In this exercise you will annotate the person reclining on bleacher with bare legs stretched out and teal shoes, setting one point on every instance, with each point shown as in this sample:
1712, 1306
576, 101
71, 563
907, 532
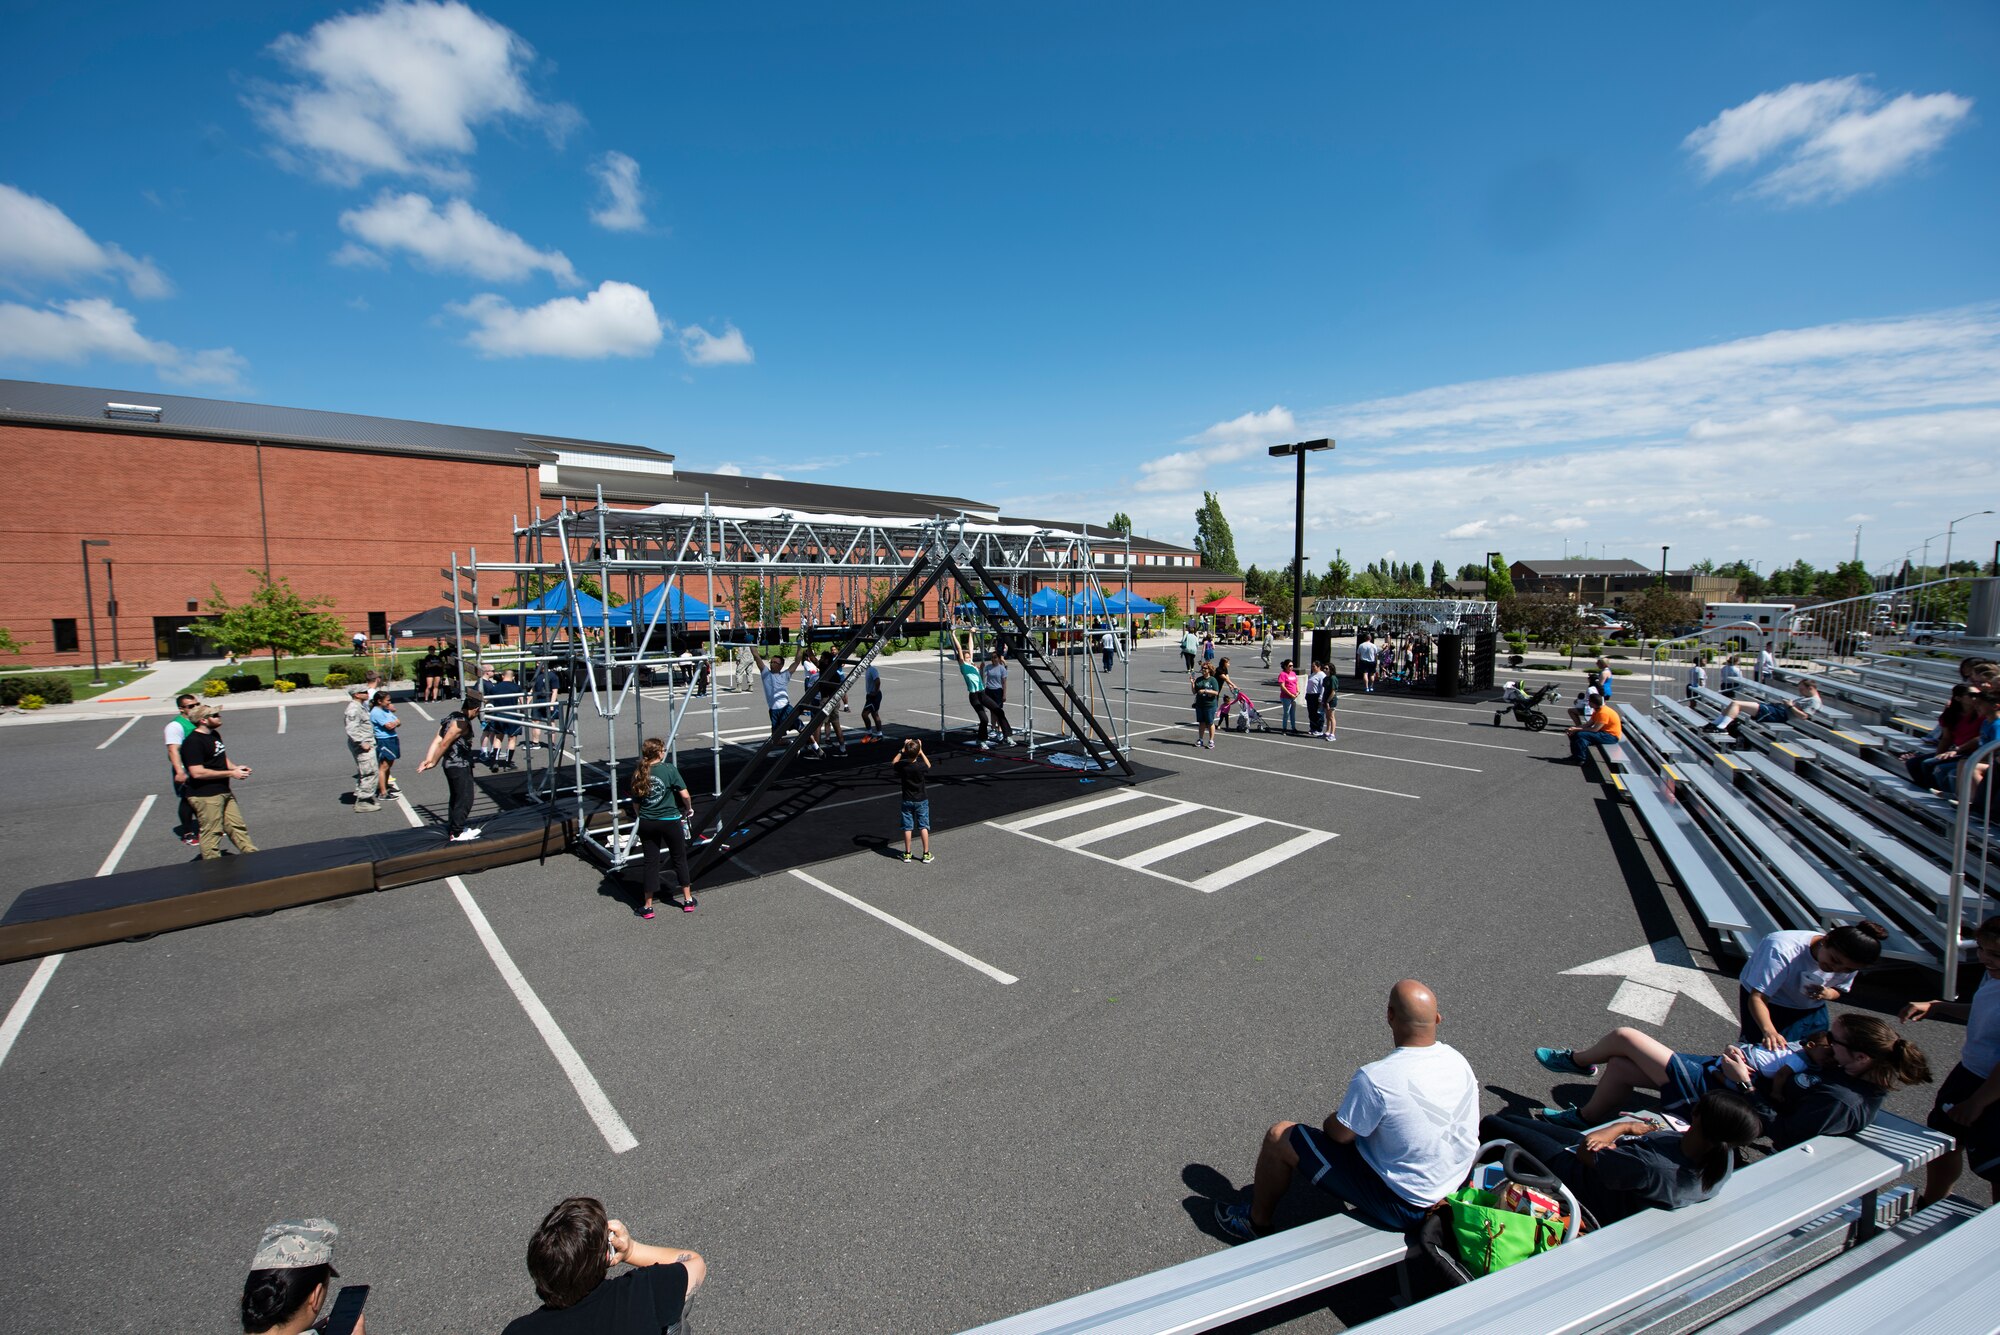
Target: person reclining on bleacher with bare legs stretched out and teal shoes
1827, 1086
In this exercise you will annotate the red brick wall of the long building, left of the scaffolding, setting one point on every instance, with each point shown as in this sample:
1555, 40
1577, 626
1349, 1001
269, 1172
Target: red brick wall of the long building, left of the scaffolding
369, 531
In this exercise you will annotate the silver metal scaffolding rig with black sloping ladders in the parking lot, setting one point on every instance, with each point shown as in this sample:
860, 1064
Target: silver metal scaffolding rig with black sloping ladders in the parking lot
637, 668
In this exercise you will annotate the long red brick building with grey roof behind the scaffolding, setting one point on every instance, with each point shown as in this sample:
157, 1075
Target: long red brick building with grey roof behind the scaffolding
195, 495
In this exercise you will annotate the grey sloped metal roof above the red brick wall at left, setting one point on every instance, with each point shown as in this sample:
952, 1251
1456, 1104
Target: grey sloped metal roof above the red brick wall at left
119, 411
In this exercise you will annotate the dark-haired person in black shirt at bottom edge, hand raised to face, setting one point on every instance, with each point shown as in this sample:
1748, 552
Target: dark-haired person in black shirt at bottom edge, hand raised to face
571, 1258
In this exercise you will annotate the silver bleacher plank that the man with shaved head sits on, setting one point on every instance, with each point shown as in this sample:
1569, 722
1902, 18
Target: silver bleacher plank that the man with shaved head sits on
1221, 1288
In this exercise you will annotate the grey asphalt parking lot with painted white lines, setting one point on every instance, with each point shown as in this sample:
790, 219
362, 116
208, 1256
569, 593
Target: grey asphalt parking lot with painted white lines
875, 1096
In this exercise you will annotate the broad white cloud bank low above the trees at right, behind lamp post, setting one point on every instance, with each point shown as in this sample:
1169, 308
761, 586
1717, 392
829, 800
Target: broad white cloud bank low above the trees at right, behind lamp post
1713, 451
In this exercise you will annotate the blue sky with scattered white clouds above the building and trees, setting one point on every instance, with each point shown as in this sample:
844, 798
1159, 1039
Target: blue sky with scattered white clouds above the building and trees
1713, 277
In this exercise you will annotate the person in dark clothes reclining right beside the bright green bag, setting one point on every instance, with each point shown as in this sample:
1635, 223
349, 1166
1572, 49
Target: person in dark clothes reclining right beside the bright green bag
1635, 1164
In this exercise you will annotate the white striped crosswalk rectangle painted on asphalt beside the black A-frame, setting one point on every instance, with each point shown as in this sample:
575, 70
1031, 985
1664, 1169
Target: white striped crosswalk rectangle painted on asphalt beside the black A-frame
1227, 824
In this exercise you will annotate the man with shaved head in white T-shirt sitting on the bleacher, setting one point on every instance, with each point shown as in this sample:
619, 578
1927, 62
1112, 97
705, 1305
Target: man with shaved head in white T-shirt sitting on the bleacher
1403, 1138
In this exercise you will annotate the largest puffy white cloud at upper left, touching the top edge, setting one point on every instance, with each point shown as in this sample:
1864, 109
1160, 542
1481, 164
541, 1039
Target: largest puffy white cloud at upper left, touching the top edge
401, 91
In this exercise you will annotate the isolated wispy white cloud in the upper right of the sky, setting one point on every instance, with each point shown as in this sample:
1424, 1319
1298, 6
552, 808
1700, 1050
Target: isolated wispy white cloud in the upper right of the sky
1827, 141
